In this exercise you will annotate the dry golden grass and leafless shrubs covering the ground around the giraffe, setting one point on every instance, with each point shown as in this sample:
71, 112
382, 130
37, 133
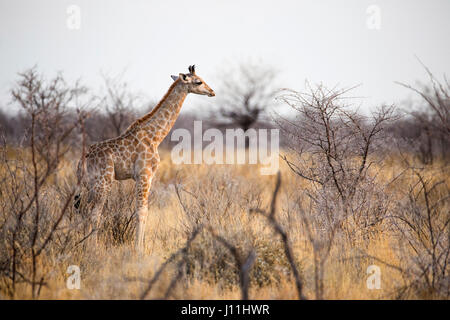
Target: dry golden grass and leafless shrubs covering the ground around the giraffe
343, 203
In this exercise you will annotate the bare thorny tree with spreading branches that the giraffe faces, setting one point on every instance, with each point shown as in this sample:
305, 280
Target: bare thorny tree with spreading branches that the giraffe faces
335, 139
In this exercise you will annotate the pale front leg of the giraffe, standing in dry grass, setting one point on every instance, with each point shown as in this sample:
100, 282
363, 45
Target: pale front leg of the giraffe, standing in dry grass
143, 184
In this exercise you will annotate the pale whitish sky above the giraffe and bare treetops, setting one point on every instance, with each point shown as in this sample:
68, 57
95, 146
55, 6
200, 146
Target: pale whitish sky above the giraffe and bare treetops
327, 41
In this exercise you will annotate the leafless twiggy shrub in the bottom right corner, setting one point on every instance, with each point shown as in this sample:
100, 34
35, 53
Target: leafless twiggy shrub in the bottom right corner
422, 221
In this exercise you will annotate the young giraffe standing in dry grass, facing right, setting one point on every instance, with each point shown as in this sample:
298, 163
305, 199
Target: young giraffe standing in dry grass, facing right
134, 154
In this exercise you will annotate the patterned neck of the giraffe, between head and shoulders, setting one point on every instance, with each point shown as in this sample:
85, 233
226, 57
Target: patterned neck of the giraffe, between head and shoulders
156, 124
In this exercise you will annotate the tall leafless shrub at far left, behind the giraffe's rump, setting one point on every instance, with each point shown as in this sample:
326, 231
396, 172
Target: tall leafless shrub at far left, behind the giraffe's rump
28, 224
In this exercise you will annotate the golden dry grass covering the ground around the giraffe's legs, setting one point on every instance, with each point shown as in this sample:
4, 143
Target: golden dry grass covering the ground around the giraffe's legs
220, 197
